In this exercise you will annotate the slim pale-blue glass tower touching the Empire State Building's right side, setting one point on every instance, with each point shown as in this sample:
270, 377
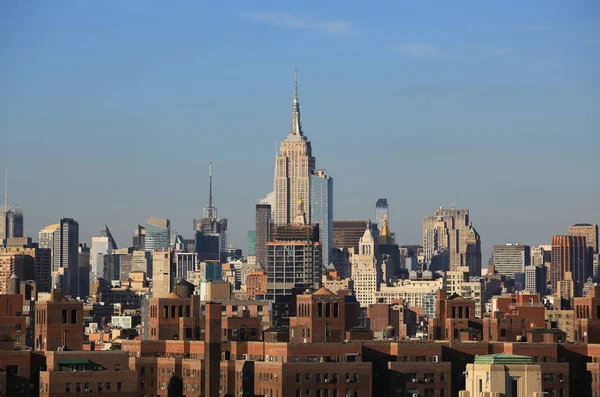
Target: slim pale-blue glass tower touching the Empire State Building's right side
321, 209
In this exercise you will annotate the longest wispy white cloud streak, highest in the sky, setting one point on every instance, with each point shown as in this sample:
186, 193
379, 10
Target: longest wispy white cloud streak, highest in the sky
287, 20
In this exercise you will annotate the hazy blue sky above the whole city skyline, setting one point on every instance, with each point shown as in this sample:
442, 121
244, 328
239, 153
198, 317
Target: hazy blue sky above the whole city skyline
110, 111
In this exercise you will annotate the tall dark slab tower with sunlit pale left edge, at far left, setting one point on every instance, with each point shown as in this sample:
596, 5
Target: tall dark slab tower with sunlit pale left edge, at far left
65, 255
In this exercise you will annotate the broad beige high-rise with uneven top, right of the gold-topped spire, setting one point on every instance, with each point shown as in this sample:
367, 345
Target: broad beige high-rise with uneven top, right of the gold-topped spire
444, 236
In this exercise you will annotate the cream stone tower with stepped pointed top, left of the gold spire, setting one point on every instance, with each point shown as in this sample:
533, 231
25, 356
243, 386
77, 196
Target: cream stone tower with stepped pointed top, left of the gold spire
366, 272
